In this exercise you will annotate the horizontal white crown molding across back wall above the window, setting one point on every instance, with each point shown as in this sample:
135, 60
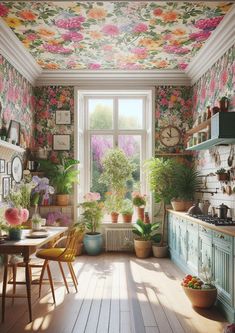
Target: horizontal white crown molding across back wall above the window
127, 78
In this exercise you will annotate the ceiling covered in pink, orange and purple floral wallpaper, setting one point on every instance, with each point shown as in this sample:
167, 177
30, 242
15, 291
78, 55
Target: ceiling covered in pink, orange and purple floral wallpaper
113, 35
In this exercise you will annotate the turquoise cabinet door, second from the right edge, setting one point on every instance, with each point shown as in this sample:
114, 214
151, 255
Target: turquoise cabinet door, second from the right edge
205, 255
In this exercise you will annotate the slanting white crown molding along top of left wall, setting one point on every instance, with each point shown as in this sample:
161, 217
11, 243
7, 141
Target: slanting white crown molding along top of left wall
12, 49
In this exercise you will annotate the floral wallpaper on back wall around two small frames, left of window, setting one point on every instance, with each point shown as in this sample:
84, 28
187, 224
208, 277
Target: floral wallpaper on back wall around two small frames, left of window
48, 100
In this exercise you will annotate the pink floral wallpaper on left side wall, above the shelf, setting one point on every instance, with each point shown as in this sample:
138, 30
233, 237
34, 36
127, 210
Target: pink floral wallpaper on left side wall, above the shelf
17, 98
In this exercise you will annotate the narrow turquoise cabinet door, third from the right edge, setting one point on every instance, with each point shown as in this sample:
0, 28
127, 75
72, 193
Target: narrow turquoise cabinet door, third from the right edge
192, 247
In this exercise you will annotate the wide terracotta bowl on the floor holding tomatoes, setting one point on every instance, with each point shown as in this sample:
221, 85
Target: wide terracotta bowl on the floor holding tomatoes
202, 298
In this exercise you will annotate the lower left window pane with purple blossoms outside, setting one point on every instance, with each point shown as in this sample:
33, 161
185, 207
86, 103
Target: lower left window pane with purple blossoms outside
99, 145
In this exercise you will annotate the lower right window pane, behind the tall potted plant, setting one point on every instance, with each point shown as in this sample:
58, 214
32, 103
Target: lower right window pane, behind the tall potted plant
131, 145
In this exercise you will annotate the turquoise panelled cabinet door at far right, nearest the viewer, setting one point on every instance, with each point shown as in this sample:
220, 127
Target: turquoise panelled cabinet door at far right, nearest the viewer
223, 269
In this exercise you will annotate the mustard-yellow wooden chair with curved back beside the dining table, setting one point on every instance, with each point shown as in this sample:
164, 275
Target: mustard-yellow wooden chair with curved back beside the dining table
60, 254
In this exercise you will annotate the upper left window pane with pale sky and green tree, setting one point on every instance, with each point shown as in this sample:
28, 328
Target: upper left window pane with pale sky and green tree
100, 113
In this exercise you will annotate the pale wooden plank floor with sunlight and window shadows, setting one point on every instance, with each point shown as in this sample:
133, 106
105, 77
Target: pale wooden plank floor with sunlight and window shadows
117, 293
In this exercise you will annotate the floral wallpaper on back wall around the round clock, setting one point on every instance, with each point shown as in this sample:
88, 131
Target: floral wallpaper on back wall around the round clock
174, 107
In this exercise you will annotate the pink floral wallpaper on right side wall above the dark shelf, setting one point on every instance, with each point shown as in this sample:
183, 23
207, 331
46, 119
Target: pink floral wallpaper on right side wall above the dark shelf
217, 82
